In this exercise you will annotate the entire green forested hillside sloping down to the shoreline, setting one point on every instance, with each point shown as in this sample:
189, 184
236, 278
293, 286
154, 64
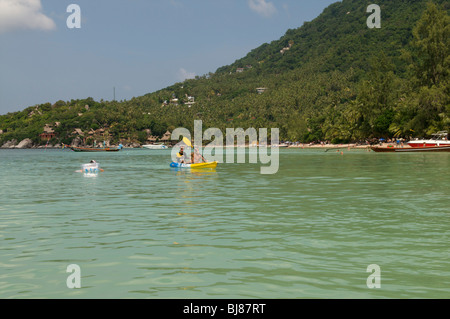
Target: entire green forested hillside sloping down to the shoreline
333, 78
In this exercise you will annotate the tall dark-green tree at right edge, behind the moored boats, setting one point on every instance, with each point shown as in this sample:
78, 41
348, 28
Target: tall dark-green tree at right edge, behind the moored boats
426, 102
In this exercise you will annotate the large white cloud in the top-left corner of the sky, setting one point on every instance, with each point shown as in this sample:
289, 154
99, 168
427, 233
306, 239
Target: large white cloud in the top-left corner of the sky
23, 14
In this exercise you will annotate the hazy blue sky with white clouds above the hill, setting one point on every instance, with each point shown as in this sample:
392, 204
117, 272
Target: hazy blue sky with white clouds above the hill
136, 46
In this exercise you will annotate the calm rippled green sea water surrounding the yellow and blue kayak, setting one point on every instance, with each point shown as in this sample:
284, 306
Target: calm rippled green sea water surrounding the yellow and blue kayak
143, 230
